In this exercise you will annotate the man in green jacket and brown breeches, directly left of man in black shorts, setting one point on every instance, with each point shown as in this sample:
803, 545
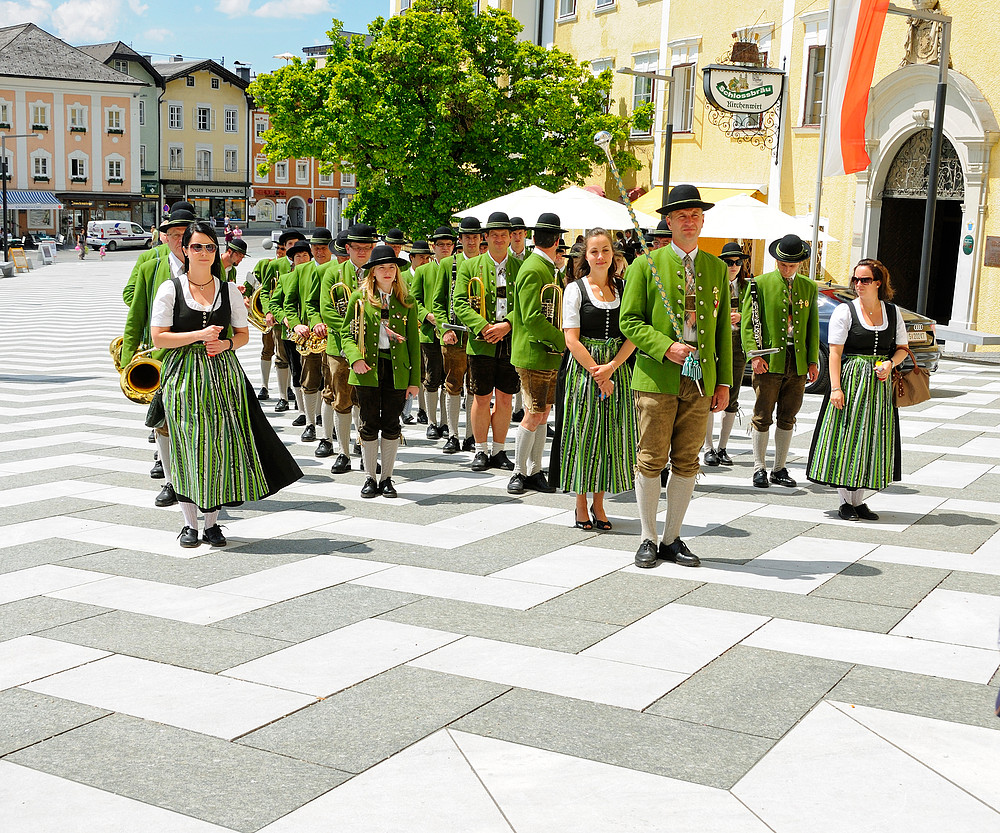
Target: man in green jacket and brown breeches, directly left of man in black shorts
454, 353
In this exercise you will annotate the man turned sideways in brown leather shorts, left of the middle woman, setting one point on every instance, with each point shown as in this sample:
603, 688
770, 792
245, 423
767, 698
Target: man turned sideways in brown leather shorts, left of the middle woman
538, 345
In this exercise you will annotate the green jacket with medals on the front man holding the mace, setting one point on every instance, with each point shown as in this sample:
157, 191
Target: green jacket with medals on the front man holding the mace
644, 321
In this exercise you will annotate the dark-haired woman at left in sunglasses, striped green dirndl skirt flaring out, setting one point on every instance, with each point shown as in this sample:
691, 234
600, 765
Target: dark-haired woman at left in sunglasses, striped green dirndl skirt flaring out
223, 451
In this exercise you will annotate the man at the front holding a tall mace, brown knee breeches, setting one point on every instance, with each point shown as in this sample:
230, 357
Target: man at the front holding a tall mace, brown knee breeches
680, 320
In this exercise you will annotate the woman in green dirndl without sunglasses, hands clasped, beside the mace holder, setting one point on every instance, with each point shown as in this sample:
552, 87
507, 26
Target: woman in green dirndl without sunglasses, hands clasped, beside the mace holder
597, 428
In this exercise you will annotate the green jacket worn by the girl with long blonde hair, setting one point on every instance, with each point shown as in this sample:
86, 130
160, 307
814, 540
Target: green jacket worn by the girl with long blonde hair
405, 355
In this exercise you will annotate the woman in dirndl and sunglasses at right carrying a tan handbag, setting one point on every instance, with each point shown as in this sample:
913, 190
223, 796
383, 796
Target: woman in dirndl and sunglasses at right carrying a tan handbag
856, 444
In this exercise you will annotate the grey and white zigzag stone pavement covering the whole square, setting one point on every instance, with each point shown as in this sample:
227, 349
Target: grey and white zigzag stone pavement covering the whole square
462, 660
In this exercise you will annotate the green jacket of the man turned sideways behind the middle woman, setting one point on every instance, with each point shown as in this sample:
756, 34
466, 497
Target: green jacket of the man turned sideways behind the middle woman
537, 344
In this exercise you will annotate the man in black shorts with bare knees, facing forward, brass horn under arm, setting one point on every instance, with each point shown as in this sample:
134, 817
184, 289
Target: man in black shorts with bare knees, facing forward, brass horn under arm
481, 304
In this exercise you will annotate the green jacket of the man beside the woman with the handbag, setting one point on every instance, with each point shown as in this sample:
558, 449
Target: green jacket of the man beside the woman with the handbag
771, 291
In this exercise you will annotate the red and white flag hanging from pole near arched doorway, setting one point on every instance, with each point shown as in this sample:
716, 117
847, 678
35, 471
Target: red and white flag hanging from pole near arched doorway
852, 50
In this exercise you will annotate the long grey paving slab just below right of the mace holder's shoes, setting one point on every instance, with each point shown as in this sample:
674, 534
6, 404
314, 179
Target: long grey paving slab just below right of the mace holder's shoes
819, 610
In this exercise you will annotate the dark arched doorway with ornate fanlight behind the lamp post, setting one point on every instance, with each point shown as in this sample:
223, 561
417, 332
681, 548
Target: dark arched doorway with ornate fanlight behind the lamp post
904, 201
